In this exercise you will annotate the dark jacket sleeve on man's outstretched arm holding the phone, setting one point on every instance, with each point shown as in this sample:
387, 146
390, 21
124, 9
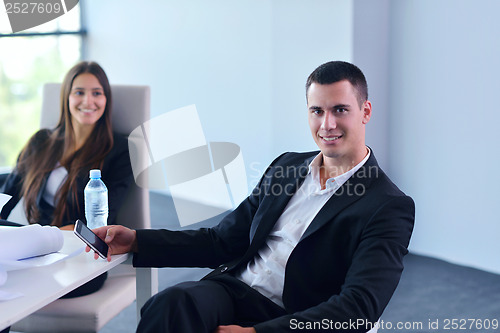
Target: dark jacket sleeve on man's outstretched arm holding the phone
206, 247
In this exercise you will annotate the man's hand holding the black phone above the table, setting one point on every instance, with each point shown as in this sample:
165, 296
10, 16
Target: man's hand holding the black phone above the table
119, 239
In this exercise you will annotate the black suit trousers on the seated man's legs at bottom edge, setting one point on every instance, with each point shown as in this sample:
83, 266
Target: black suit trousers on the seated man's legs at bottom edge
201, 306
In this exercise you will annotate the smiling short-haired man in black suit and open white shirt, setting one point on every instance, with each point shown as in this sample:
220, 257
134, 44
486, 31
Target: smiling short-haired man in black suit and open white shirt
318, 245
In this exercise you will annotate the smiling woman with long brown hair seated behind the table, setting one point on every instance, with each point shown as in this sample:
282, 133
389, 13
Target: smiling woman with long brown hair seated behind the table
53, 168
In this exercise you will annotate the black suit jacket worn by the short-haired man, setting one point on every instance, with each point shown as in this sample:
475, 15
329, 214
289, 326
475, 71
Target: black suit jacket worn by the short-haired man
345, 267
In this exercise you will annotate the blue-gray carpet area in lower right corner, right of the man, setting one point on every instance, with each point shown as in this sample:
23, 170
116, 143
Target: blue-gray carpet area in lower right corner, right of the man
434, 295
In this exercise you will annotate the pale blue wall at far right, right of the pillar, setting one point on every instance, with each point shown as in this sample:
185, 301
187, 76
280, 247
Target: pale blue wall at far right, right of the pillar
444, 138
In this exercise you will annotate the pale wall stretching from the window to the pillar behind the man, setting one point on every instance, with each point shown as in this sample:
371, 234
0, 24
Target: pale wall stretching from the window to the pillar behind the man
243, 63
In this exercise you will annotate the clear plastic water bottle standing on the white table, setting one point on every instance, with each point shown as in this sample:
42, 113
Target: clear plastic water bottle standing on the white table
96, 201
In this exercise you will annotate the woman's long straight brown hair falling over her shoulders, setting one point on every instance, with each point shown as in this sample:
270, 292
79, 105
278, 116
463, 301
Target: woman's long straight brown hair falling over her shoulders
38, 159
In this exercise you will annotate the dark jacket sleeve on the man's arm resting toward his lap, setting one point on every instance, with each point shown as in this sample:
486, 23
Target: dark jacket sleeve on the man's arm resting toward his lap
371, 279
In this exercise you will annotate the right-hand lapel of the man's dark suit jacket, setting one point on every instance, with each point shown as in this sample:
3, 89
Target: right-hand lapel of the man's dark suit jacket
351, 191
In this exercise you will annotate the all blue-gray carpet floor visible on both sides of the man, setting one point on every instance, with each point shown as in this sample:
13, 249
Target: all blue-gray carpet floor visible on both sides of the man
431, 297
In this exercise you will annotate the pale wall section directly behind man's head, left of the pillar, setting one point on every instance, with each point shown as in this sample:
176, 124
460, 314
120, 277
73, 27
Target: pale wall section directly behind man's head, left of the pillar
305, 34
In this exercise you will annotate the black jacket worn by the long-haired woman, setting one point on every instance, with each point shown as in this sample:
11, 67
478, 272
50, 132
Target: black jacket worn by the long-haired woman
116, 174
